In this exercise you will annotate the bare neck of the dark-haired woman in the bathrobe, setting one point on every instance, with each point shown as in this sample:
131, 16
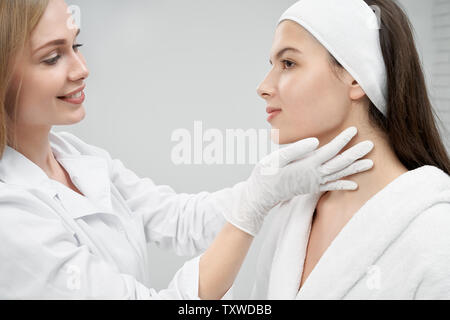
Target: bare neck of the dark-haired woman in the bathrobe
386, 169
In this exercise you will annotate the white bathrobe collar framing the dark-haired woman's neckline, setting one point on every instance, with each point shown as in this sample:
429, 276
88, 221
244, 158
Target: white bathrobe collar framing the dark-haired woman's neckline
362, 240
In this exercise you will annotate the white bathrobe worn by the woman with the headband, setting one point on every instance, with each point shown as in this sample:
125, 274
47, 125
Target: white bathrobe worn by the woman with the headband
396, 246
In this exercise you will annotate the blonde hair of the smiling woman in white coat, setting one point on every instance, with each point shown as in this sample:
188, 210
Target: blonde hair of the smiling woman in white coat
18, 18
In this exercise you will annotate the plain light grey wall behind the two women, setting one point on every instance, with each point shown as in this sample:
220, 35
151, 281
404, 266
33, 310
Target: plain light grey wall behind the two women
157, 66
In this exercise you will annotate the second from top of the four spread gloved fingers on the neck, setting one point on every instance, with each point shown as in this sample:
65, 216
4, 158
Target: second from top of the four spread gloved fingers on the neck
346, 158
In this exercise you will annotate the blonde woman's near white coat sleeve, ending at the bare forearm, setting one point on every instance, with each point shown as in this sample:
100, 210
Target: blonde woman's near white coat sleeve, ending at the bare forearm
41, 259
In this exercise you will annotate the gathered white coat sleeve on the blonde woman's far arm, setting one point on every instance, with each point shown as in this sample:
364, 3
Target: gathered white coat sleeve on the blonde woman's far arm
186, 223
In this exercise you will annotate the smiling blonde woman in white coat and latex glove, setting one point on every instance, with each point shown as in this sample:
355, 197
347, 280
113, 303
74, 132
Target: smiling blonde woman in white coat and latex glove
75, 224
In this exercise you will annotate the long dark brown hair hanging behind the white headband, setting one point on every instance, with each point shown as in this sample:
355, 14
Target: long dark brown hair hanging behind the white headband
410, 119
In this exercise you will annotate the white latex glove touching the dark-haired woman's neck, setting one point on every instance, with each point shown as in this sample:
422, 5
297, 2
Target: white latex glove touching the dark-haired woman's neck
295, 170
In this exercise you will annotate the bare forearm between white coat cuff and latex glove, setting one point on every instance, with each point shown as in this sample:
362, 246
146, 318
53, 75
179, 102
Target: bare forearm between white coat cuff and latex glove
220, 264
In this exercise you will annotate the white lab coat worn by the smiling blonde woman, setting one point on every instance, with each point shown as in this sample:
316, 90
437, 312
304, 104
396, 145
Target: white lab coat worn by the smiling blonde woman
57, 244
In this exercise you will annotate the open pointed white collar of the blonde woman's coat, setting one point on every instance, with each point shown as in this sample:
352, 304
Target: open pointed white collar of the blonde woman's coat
89, 173
